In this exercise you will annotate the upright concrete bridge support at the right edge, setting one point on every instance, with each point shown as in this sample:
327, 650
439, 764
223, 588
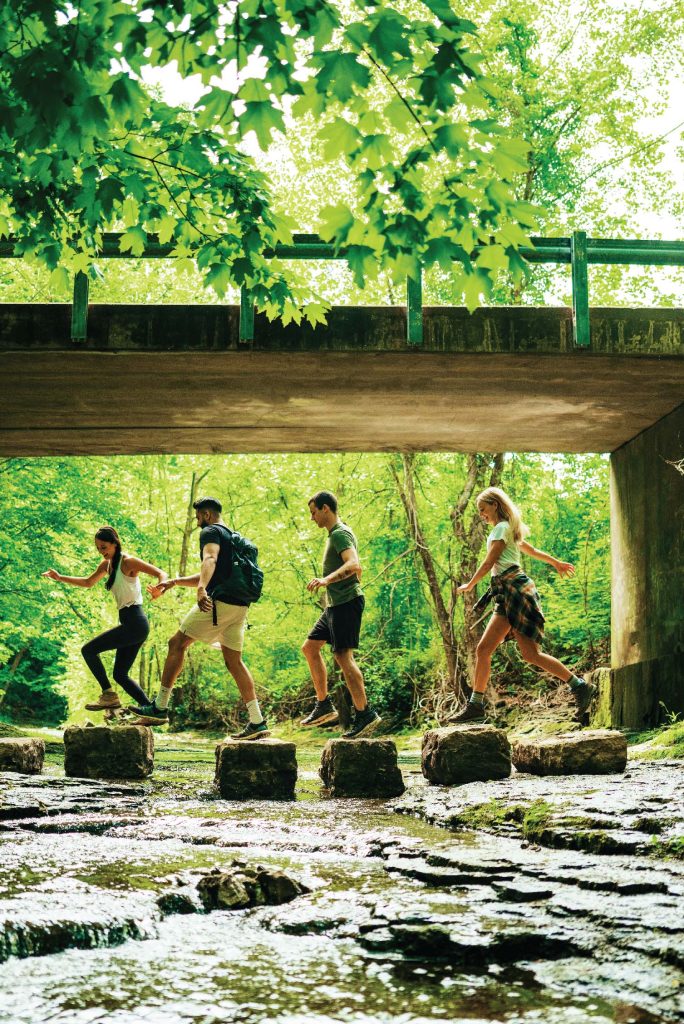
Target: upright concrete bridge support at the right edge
648, 545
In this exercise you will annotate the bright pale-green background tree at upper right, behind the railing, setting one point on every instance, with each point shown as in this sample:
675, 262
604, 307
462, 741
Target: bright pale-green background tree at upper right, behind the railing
587, 87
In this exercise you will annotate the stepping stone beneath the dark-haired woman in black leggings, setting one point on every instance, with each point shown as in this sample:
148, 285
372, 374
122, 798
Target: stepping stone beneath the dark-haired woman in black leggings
99, 752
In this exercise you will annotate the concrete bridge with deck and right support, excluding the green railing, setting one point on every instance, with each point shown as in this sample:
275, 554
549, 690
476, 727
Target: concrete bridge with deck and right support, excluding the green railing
174, 379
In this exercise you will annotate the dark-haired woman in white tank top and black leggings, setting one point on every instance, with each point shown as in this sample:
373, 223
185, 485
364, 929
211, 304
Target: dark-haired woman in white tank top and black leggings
127, 638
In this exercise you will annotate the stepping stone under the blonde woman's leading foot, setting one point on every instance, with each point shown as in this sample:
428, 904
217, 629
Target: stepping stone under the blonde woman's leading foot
465, 754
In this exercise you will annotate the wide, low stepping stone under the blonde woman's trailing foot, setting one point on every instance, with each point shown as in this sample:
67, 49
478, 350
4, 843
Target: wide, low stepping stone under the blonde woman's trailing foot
596, 752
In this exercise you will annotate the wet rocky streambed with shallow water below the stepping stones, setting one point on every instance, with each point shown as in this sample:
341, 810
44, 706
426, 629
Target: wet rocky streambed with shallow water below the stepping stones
521, 901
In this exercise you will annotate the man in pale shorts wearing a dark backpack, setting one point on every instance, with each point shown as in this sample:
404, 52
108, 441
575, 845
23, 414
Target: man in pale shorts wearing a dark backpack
227, 584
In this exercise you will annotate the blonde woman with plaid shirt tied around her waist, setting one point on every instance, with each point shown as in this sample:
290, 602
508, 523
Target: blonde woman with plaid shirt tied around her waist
518, 608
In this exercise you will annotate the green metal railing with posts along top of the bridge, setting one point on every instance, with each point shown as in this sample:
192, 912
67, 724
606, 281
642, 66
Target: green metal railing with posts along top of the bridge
579, 251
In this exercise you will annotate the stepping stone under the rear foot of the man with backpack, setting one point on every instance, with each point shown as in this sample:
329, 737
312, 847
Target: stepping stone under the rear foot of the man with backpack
256, 770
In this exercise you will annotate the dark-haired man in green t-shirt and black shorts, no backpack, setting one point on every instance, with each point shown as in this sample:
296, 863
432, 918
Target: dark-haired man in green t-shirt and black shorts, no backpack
340, 623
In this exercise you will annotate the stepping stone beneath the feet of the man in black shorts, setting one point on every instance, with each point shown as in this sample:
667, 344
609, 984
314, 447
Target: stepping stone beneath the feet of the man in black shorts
365, 769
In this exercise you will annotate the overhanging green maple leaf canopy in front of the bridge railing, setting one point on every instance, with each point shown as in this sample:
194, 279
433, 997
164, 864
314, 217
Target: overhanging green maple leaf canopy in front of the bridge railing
87, 148
